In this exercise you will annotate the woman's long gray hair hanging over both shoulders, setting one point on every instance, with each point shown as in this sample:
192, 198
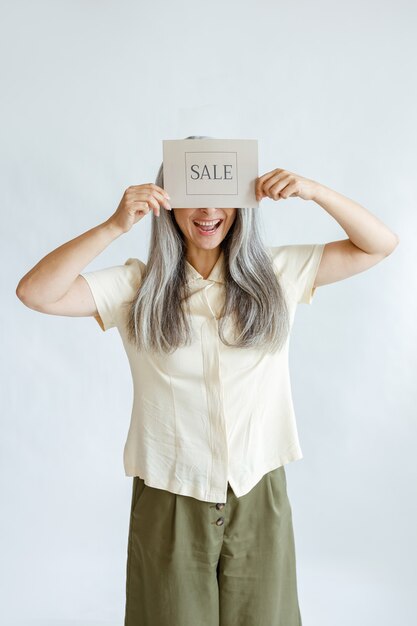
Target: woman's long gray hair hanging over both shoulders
254, 299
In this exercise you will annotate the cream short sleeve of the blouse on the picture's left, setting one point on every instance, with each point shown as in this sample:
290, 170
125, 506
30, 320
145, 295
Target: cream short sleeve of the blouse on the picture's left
112, 287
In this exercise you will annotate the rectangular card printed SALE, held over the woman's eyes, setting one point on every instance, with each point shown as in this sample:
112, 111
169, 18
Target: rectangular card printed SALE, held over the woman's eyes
210, 173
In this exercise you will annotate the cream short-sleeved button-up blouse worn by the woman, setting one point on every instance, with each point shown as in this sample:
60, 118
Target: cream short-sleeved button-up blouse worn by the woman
208, 414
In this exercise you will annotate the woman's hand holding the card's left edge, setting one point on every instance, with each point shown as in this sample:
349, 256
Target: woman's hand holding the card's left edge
136, 202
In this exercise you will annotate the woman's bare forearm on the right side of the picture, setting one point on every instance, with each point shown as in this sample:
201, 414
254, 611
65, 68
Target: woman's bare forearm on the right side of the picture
363, 228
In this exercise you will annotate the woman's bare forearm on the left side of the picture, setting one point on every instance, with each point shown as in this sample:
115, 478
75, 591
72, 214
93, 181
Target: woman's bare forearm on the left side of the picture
53, 275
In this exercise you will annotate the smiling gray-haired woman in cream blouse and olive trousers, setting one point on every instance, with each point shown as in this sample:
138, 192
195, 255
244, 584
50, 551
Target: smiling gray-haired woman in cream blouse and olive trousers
206, 325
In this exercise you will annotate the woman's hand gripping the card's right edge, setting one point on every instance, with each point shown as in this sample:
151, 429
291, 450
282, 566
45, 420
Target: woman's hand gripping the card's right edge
280, 184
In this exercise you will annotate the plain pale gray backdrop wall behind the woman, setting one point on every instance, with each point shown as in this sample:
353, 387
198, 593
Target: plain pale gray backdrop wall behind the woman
90, 89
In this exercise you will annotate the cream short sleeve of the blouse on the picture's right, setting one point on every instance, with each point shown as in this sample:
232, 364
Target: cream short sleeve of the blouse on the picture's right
298, 265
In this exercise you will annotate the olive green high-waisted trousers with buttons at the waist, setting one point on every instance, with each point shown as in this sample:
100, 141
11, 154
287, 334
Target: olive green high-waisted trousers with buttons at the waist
196, 563
